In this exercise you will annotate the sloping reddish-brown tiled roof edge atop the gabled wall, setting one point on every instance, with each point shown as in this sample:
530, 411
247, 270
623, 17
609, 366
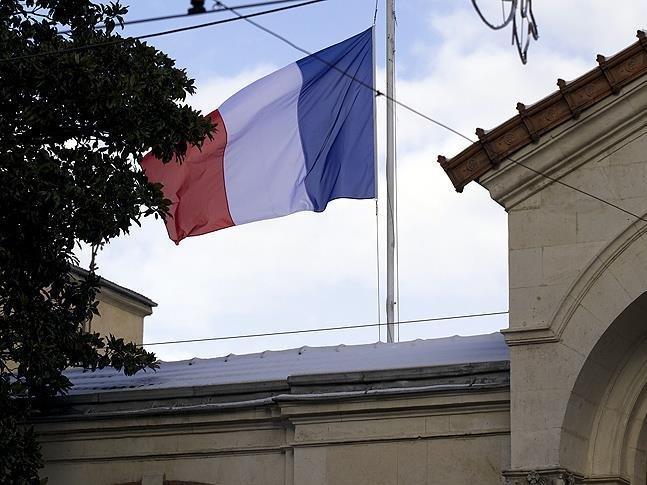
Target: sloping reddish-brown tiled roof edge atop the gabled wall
534, 121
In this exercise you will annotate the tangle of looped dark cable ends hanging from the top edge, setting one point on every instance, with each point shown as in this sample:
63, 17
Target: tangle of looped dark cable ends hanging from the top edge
524, 26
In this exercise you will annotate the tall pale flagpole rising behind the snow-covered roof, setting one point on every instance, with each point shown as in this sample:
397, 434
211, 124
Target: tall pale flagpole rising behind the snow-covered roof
390, 170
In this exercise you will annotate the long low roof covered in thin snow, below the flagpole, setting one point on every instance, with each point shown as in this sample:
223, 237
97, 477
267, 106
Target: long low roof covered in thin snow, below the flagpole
298, 365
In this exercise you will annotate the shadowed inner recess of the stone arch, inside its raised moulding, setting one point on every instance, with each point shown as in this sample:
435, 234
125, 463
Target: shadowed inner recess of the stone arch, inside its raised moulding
604, 434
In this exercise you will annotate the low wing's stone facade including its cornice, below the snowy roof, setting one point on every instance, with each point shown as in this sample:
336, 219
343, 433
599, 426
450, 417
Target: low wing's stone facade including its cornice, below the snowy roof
435, 425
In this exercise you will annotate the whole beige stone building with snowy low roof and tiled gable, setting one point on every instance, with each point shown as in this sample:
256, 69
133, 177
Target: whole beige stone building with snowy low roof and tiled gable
560, 397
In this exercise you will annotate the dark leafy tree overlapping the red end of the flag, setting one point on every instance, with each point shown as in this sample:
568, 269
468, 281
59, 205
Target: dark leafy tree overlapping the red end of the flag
72, 127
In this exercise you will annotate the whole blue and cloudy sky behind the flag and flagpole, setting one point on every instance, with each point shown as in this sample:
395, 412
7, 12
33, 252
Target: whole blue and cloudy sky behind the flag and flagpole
313, 270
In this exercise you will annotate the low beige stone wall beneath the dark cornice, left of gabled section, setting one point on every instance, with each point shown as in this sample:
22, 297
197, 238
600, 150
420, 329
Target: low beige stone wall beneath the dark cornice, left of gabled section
433, 438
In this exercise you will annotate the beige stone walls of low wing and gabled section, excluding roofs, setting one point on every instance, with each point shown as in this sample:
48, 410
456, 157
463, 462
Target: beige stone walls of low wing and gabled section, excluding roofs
576, 409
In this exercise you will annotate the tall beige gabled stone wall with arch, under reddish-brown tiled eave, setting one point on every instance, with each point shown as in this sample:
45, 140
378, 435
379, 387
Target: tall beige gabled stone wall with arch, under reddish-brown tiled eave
578, 267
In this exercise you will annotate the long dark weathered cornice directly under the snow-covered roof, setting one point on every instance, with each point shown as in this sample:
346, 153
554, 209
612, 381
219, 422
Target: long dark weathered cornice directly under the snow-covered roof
452, 384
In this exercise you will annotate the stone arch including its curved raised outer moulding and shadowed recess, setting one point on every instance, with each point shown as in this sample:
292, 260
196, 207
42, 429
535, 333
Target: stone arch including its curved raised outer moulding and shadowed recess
603, 318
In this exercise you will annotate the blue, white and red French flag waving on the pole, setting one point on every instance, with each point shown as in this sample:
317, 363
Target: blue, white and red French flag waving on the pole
291, 141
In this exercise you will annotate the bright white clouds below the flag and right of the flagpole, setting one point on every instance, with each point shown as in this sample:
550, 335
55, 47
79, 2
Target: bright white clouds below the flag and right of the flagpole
311, 270
